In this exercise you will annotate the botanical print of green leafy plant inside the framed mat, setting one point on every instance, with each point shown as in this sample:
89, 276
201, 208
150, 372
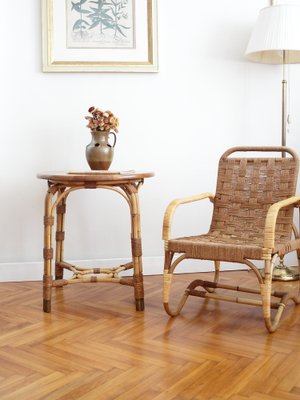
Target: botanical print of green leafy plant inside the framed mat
100, 23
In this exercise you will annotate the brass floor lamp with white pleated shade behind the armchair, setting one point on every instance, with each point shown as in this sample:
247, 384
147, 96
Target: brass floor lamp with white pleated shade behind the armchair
276, 40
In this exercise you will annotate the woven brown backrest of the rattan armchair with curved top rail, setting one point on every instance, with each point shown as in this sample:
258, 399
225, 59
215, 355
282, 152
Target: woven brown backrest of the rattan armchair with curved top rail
247, 187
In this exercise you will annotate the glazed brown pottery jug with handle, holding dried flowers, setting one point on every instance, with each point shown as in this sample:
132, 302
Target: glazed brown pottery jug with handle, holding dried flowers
99, 153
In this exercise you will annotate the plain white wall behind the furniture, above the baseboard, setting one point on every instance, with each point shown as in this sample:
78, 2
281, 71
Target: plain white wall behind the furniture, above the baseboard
176, 123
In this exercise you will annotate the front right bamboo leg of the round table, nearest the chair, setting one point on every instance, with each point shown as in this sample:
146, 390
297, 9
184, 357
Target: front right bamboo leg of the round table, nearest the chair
136, 246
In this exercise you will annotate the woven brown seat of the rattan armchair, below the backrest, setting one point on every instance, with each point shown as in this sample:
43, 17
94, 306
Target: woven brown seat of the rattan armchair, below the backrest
218, 246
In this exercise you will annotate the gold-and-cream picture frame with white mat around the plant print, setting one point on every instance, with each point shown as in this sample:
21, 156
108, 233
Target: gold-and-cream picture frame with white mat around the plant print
56, 55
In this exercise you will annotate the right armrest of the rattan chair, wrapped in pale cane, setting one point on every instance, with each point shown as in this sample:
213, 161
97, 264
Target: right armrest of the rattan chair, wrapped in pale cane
271, 218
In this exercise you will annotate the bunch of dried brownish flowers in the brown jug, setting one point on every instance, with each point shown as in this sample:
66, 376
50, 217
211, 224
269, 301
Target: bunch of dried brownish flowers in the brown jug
102, 120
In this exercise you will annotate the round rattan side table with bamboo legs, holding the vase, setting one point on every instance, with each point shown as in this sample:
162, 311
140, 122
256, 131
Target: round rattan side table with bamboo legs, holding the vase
60, 185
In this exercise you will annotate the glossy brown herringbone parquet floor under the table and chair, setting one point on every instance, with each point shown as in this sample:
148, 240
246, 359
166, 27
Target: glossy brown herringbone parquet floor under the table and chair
94, 345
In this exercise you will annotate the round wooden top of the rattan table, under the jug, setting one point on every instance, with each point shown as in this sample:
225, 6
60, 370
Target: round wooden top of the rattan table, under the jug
100, 176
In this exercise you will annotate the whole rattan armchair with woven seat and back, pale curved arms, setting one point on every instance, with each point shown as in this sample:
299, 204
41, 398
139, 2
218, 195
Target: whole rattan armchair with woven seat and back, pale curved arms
252, 220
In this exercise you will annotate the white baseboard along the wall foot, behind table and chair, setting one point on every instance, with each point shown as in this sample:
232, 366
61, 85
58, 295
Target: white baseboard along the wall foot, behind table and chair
33, 271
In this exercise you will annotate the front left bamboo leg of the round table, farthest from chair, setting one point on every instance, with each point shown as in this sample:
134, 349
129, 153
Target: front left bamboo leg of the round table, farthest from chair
48, 250
